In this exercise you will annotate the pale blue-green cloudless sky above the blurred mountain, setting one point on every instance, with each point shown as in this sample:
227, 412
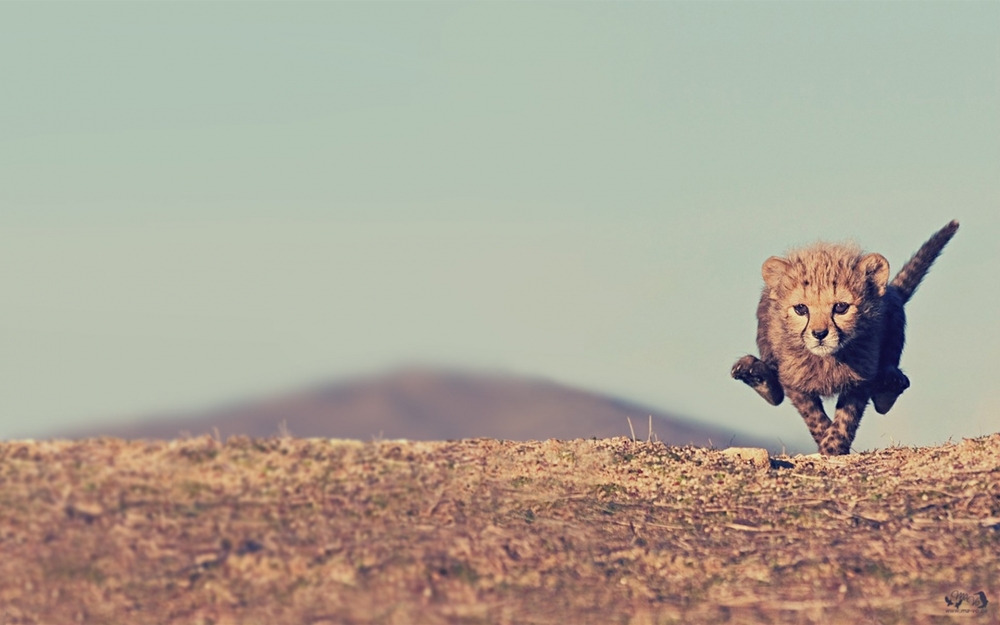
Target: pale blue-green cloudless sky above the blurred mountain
202, 202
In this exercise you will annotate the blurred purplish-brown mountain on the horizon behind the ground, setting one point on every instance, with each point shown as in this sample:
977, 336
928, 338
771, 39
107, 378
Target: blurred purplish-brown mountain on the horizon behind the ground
420, 404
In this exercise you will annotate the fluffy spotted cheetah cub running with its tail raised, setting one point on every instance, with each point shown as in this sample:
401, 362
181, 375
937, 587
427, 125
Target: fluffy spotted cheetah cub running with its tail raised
829, 322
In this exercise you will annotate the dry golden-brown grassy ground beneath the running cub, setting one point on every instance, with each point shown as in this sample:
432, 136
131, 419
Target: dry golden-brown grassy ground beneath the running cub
486, 531
